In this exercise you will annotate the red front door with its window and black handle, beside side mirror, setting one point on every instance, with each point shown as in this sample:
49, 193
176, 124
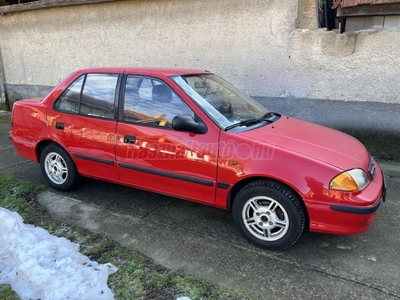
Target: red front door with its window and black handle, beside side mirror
152, 155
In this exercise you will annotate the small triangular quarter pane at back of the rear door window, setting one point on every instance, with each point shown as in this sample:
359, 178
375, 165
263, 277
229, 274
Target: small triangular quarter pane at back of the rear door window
69, 100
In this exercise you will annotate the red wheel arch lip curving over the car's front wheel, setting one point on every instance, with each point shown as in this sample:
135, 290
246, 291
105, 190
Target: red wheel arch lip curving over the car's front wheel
238, 186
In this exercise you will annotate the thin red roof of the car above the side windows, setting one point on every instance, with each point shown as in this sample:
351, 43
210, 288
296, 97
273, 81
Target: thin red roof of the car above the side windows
146, 71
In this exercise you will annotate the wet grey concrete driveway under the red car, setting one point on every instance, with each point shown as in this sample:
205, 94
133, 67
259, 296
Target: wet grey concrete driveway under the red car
204, 241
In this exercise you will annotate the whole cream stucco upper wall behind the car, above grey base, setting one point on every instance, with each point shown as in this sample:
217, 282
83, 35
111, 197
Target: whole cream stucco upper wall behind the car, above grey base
252, 43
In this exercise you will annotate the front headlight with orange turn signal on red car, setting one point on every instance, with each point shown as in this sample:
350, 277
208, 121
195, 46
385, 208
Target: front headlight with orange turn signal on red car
350, 181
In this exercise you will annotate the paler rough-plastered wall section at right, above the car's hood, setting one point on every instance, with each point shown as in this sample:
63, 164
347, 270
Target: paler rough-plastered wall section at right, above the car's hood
358, 66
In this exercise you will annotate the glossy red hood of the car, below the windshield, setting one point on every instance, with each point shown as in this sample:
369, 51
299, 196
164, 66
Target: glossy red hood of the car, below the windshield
324, 144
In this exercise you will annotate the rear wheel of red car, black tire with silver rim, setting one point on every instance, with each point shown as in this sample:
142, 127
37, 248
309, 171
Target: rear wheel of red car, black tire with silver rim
58, 168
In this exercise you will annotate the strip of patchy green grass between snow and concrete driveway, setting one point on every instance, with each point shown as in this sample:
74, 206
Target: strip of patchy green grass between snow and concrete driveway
137, 276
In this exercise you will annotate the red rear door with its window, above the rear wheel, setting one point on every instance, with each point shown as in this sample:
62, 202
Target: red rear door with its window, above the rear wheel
83, 120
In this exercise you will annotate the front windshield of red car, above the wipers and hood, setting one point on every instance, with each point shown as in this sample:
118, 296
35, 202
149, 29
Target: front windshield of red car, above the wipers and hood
223, 103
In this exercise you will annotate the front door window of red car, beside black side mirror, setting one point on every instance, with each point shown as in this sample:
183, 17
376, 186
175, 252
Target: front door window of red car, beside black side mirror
152, 102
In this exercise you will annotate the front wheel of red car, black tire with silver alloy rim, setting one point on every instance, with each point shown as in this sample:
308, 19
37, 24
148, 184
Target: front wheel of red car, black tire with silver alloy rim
269, 214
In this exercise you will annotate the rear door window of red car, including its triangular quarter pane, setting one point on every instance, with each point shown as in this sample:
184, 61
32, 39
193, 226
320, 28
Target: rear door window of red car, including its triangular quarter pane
91, 95
